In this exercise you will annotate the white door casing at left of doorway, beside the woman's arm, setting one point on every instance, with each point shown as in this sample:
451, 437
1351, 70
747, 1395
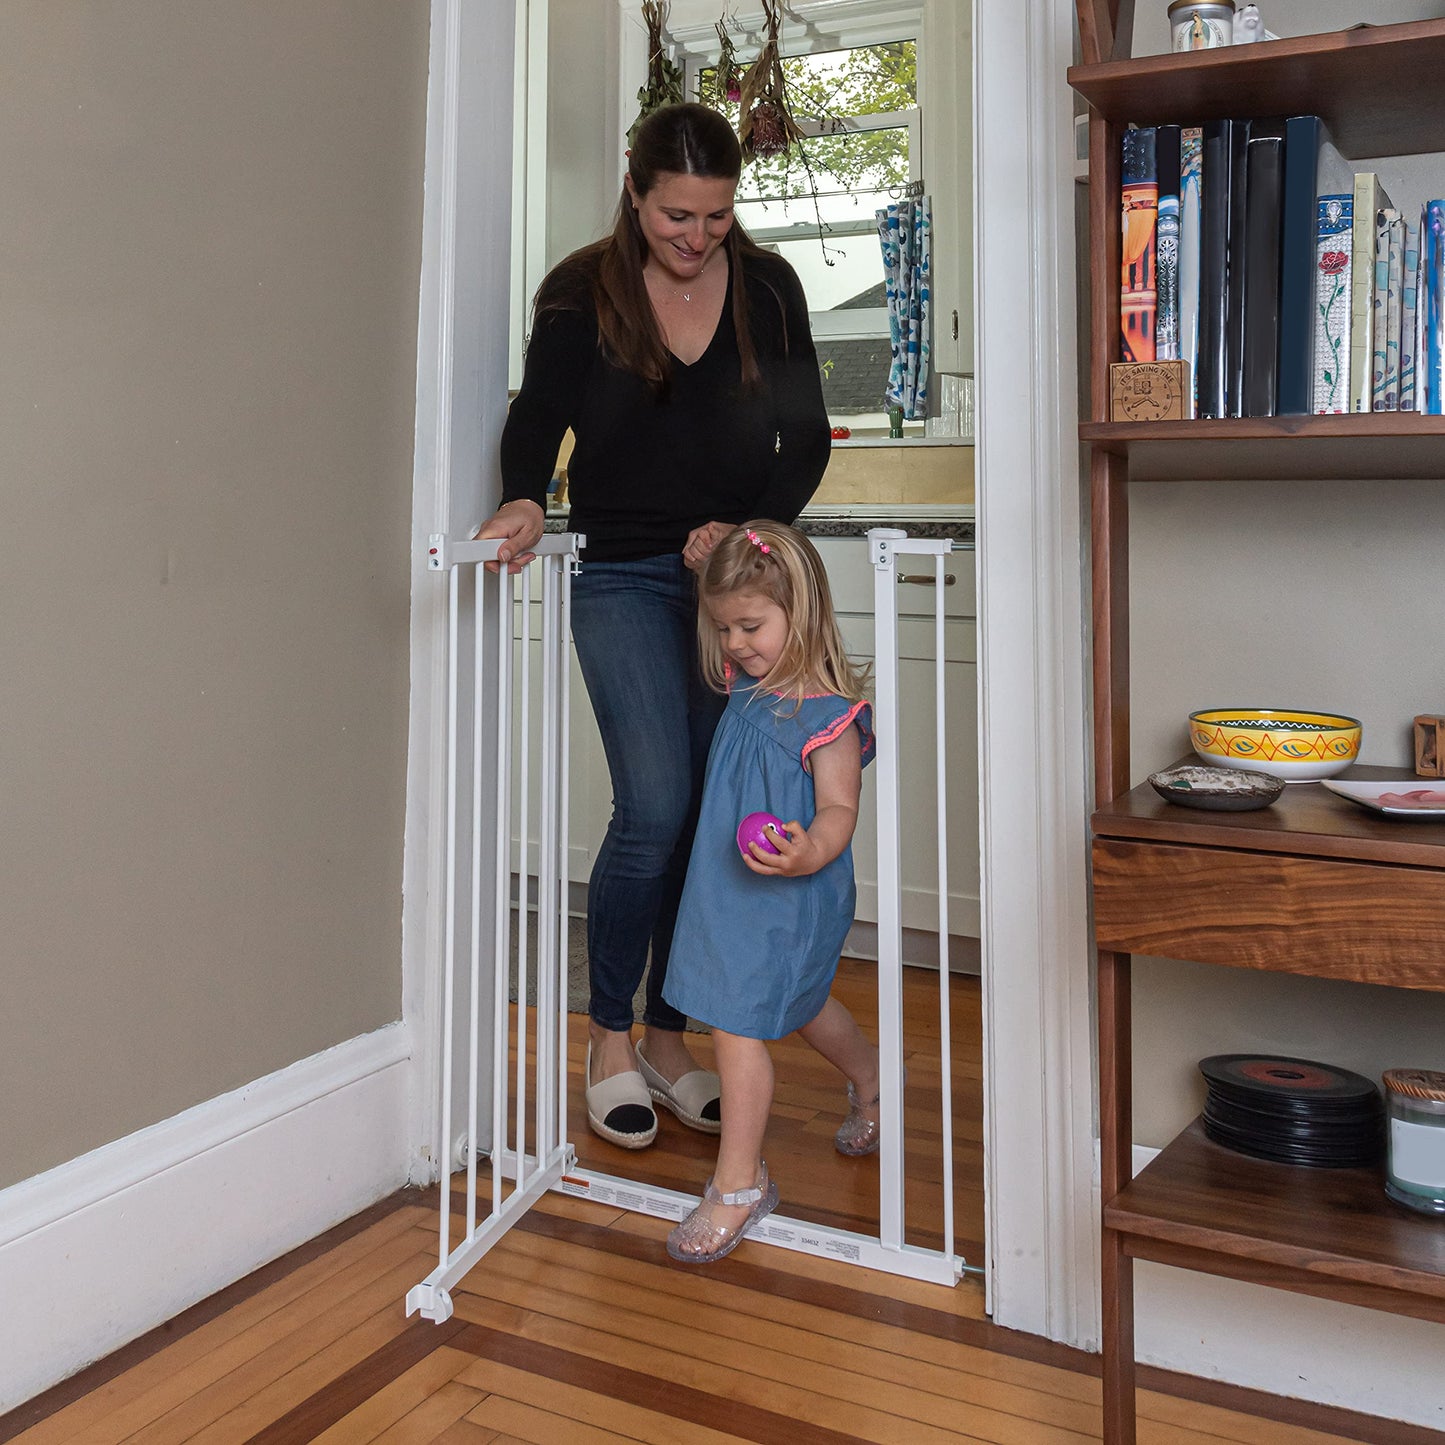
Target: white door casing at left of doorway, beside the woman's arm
462, 402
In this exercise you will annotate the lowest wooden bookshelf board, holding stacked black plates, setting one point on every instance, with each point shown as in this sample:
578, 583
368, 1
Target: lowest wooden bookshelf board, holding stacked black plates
1316, 1232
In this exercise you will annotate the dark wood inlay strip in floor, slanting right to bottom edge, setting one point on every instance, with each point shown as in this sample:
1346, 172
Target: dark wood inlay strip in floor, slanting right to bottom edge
650, 1392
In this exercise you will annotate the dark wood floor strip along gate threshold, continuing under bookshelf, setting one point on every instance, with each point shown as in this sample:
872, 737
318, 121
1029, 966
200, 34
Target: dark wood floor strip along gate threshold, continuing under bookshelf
985, 1334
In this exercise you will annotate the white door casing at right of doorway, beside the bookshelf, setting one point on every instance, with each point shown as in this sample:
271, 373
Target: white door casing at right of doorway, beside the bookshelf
1038, 1037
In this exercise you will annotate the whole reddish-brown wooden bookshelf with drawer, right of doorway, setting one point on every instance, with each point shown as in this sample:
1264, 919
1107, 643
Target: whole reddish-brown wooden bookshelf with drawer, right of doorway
1313, 885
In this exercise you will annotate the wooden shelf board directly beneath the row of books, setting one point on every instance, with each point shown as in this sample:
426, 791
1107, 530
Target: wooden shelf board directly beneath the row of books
1376, 446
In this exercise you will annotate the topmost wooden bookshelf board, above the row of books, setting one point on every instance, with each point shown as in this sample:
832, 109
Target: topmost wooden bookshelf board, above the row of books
1378, 89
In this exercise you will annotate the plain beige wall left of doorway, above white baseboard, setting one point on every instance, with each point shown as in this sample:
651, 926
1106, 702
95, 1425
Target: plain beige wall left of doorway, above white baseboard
213, 241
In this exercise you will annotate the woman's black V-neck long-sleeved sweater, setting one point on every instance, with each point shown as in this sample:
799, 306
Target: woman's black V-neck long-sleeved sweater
647, 469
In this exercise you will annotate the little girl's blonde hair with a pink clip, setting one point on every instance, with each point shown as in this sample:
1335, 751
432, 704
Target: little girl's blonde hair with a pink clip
781, 564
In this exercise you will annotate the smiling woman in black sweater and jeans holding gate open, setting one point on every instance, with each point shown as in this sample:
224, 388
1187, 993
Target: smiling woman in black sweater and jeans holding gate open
680, 355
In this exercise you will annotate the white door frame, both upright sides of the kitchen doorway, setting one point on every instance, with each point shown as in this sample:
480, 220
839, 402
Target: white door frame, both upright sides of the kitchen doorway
1040, 1118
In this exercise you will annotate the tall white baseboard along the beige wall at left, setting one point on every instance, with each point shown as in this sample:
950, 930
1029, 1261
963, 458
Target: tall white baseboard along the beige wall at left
112, 1245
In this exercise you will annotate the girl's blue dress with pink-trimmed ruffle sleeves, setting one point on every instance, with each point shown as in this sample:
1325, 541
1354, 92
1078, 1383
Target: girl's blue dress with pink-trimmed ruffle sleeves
756, 956
